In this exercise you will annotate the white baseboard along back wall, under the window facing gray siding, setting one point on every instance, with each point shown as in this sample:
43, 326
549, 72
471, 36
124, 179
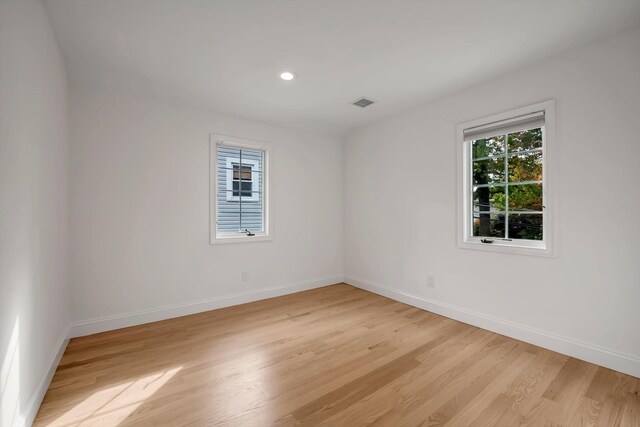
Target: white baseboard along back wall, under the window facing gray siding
109, 323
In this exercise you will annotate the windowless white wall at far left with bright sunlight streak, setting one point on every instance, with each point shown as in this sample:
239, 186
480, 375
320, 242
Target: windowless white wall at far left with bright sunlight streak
33, 208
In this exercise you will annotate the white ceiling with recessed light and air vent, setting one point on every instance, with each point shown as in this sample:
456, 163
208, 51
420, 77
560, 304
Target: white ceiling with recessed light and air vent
226, 55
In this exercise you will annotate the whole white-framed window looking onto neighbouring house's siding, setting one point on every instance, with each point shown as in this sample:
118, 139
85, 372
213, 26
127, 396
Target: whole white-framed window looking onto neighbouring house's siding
239, 190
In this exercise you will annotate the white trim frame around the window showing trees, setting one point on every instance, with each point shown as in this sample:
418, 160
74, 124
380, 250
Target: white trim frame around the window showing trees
465, 240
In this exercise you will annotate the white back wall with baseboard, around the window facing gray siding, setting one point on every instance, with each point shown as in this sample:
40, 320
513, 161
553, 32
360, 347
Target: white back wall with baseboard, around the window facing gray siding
140, 212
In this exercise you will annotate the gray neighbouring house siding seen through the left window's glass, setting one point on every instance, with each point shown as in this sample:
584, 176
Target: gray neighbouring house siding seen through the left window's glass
239, 205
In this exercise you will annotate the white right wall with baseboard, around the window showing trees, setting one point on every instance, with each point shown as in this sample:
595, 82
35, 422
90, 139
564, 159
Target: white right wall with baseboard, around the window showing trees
400, 220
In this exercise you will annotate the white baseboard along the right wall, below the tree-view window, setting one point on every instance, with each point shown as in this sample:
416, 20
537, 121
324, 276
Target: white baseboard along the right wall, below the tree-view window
622, 362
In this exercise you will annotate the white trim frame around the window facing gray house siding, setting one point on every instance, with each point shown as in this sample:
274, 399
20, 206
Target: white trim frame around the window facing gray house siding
239, 237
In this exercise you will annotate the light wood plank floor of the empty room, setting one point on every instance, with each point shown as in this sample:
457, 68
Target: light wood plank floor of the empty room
332, 356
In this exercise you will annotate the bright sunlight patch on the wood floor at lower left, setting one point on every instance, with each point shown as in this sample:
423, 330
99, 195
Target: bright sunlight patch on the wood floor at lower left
113, 405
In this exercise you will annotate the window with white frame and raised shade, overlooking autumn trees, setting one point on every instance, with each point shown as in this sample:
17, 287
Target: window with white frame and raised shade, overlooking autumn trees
505, 199
